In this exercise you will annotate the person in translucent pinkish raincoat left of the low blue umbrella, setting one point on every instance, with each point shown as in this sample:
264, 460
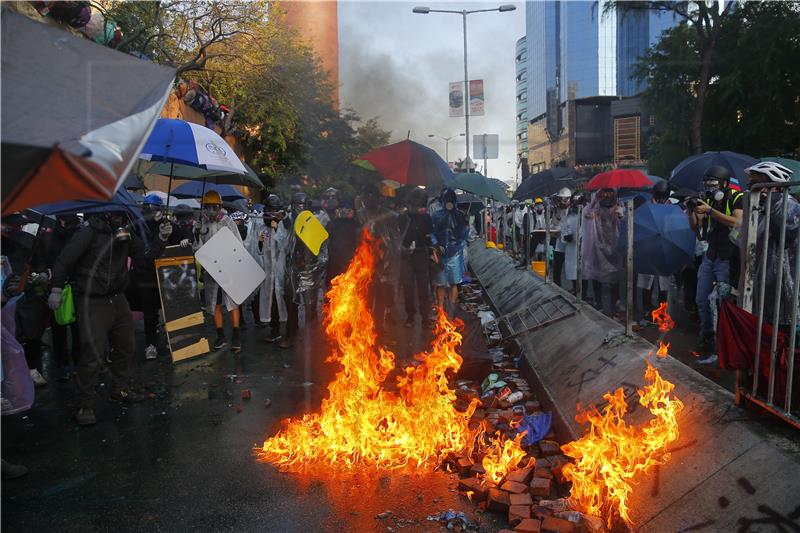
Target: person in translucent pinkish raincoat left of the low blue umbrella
602, 262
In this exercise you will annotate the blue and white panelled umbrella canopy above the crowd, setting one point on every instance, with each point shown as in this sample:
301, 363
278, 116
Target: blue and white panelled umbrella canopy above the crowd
180, 142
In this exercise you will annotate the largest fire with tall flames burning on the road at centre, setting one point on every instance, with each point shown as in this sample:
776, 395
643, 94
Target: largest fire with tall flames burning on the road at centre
366, 419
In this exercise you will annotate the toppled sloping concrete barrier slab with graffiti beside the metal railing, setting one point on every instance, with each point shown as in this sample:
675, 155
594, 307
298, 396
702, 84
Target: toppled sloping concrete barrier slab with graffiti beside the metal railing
727, 469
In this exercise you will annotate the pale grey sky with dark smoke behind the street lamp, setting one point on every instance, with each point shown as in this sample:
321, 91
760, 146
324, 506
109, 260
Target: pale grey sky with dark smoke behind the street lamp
397, 65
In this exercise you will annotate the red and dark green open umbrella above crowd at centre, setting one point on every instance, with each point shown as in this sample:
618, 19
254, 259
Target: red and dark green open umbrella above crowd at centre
408, 163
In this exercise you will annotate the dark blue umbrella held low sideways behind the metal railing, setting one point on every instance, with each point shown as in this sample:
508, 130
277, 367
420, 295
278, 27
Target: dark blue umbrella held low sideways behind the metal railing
663, 241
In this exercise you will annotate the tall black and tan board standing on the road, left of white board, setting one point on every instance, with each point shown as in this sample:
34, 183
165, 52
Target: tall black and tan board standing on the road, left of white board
177, 285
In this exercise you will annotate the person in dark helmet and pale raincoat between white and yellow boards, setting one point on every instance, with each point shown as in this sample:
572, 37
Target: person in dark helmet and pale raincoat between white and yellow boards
273, 244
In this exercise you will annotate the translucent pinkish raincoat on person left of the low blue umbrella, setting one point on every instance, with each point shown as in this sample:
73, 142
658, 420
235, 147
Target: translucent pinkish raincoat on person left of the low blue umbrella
601, 260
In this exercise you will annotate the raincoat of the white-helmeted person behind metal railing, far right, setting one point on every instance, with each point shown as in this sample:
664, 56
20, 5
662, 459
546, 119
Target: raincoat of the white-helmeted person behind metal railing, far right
791, 250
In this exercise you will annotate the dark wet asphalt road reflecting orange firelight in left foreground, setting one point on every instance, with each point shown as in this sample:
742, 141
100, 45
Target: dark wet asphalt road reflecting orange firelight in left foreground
183, 459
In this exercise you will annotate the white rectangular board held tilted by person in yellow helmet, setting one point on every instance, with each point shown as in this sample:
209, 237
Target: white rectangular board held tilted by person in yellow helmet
226, 259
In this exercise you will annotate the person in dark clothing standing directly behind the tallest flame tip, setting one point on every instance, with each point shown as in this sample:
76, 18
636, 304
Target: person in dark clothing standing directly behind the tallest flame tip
382, 224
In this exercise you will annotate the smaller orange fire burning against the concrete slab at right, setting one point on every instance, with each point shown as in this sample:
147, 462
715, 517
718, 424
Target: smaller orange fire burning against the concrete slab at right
612, 453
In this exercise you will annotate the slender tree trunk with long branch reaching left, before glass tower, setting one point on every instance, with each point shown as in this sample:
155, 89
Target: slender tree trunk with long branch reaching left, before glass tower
707, 19
